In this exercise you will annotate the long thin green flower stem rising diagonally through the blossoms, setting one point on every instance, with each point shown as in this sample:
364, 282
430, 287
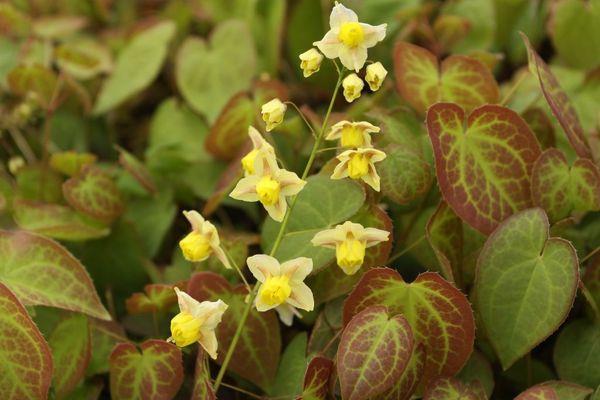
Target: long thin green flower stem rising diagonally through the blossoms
282, 229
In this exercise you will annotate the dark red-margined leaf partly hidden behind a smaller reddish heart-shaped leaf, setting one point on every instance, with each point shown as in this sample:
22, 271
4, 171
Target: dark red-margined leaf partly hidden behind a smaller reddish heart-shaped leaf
439, 314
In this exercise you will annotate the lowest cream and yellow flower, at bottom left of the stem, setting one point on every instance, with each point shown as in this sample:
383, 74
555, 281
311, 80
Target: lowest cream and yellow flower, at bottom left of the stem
196, 322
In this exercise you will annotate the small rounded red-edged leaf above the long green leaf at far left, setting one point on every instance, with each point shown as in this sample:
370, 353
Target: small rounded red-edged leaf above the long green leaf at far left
93, 192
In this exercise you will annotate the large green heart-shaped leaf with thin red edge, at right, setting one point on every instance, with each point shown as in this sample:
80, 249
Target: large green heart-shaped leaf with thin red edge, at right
525, 284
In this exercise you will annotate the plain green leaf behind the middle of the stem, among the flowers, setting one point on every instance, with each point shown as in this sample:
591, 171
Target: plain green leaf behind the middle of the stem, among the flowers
317, 208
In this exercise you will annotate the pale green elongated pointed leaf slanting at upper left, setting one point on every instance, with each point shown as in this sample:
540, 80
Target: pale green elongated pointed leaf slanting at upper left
136, 67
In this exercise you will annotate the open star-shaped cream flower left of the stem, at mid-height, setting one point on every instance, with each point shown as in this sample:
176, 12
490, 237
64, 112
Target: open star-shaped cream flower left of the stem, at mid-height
270, 185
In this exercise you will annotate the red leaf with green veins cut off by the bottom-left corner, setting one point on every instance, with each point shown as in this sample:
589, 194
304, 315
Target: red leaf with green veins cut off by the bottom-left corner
25, 358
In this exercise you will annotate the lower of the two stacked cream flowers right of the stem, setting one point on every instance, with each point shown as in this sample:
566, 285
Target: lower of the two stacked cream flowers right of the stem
359, 164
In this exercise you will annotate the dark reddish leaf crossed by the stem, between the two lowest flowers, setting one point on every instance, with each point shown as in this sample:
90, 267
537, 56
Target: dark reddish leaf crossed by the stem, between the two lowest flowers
256, 355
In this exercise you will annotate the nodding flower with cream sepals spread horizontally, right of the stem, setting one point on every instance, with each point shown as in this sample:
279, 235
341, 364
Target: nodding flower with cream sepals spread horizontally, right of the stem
350, 241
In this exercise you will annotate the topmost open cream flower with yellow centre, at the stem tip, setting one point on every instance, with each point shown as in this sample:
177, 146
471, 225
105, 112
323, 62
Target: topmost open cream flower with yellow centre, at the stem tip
349, 39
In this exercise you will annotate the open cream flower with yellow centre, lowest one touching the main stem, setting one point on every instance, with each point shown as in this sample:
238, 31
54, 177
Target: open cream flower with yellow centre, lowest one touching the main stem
282, 285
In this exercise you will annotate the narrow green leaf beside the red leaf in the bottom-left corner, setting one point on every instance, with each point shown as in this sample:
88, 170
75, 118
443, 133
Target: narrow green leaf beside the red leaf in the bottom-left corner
71, 352
